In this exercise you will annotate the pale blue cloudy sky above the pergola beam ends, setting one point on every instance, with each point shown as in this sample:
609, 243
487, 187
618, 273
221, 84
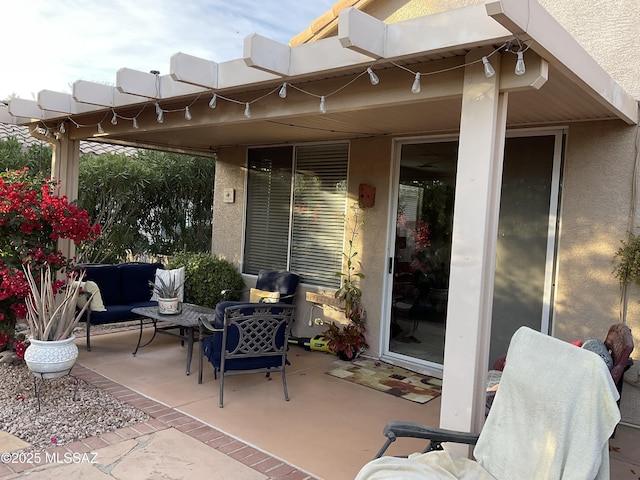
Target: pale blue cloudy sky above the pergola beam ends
48, 45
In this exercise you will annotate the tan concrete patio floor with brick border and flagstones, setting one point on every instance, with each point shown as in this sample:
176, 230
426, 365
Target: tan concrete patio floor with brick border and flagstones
328, 429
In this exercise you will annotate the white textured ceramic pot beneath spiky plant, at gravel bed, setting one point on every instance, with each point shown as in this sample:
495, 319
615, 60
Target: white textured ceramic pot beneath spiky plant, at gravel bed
51, 358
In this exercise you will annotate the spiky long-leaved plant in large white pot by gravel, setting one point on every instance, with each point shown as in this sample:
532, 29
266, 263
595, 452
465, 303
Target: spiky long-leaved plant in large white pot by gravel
52, 314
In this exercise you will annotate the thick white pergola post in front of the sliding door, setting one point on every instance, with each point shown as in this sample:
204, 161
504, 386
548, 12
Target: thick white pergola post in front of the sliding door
475, 229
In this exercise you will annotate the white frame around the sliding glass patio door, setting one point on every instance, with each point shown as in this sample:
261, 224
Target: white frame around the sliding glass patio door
546, 322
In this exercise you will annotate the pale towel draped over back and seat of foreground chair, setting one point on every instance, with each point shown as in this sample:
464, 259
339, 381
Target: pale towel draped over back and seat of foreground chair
552, 418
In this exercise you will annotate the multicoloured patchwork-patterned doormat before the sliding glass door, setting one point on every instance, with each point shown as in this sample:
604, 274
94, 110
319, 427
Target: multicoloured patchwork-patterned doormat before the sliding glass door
390, 379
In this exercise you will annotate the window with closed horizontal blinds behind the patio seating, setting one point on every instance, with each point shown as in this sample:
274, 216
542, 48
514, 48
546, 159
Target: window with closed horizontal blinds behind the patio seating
296, 199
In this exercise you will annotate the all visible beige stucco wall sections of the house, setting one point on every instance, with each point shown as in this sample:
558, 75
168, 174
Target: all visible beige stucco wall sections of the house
596, 195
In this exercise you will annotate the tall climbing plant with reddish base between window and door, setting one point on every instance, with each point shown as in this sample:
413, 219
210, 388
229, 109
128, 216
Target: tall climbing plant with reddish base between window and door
349, 340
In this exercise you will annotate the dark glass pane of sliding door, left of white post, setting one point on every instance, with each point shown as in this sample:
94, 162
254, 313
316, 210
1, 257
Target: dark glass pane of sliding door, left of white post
424, 221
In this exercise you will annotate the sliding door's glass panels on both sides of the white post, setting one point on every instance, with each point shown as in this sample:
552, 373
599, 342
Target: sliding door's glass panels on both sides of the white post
422, 245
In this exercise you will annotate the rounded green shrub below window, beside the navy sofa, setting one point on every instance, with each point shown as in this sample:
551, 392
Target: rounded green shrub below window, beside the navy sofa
207, 276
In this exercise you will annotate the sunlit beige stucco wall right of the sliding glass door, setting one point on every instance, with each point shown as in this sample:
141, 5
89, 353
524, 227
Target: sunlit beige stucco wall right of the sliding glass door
596, 196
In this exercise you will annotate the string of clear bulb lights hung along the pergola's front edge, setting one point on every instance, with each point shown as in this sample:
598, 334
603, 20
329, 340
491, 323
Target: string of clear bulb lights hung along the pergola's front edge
282, 89
